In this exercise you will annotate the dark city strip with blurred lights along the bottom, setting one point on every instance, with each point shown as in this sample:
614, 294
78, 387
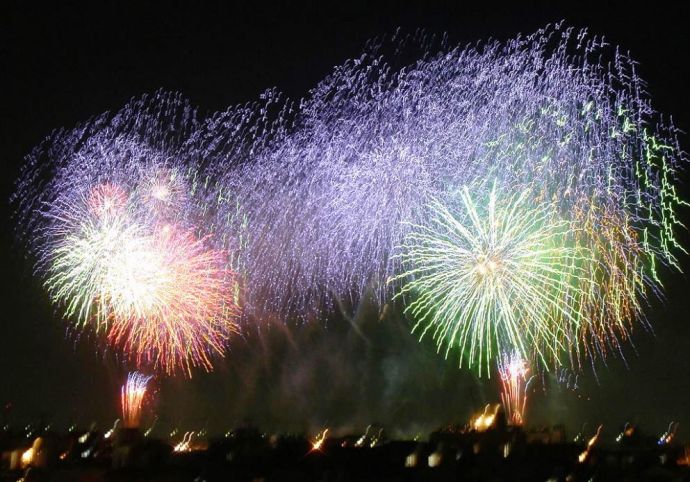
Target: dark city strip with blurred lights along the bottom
247, 455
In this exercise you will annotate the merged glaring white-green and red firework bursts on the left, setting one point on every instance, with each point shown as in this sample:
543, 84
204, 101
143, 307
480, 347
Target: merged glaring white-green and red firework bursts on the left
160, 294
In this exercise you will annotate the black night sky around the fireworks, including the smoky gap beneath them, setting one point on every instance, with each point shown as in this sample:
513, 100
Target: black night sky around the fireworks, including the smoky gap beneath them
62, 63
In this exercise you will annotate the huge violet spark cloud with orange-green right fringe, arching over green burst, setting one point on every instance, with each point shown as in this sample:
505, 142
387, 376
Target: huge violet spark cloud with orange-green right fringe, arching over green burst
332, 187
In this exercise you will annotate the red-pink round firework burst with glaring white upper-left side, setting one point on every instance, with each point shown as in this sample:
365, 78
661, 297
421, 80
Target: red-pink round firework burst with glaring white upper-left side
171, 301
